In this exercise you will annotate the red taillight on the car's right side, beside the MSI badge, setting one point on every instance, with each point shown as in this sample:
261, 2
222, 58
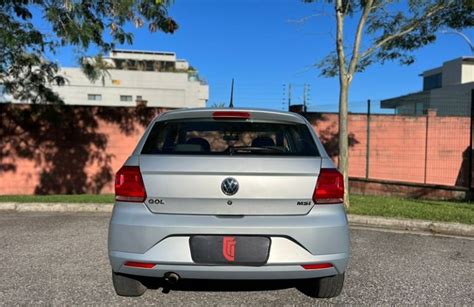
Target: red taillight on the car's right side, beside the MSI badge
329, 188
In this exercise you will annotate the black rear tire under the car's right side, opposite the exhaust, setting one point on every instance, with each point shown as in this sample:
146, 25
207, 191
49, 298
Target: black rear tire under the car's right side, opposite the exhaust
324, 287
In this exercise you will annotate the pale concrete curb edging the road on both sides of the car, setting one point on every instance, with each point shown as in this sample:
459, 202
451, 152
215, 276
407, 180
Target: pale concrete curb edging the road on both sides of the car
454, 229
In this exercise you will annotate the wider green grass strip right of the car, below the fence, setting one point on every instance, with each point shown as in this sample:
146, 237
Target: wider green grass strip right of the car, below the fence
443, 211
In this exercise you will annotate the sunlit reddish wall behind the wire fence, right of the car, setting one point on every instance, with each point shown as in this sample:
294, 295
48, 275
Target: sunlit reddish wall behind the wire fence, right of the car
423, 149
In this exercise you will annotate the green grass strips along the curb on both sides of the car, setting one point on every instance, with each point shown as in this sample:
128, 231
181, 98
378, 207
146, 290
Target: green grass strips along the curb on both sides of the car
443, 211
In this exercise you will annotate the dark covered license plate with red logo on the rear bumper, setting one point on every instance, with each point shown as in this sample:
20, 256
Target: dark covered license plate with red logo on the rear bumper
233, 250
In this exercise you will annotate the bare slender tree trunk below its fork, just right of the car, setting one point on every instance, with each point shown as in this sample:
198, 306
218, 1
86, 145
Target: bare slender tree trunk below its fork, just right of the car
344, 137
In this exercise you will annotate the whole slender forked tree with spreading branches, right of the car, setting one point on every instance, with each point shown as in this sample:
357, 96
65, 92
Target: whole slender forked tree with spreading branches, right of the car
392, 30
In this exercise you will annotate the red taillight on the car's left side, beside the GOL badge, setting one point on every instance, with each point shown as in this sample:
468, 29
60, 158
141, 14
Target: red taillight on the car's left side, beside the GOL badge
129, 184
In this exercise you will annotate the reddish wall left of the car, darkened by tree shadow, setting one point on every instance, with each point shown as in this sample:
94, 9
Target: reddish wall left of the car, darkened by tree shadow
48, 149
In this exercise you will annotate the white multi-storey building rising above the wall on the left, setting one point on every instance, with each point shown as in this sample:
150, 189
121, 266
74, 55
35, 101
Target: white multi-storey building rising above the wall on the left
156, 79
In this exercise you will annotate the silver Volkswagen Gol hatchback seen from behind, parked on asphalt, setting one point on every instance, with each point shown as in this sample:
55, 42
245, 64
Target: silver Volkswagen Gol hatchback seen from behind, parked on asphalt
229, 194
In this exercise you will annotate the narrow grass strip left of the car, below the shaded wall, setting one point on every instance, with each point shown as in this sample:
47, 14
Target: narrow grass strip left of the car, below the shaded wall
77, 198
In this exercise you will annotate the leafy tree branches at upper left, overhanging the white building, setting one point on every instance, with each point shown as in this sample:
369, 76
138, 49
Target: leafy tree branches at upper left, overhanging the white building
26, 72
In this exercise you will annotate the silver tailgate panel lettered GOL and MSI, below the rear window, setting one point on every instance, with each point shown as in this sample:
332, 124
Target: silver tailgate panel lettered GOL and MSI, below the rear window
194, 185
